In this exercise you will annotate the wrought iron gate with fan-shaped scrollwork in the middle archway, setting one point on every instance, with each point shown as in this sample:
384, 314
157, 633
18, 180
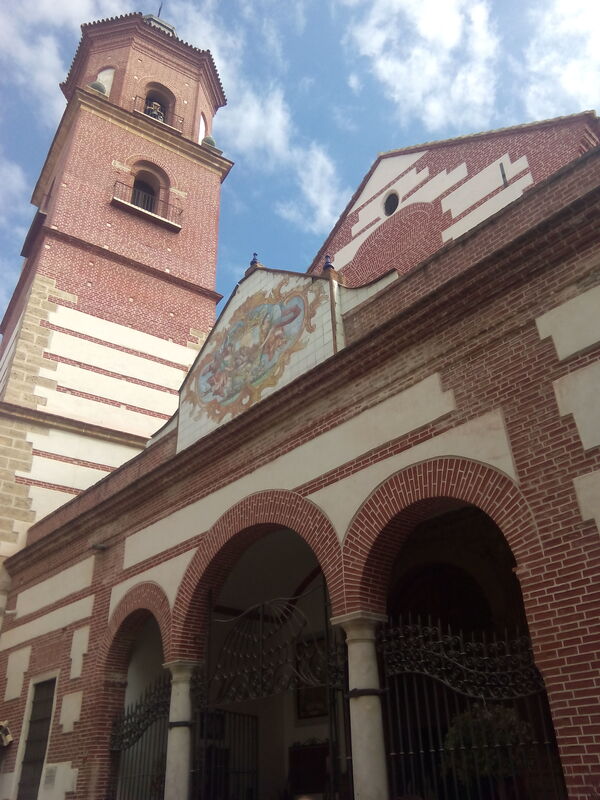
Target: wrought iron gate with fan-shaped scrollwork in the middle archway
268, 650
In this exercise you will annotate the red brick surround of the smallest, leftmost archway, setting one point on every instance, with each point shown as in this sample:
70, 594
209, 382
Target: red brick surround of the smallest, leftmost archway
125, 622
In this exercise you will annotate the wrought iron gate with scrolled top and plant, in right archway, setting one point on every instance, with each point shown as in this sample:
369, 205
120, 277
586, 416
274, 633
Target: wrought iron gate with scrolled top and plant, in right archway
466, 719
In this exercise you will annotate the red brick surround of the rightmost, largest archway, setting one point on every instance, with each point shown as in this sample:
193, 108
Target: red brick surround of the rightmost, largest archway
391, 512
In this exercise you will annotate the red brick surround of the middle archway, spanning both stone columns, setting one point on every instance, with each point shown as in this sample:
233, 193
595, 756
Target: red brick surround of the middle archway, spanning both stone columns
237, 529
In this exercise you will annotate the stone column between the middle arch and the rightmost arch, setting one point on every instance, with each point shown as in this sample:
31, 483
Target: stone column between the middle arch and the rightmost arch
366, 718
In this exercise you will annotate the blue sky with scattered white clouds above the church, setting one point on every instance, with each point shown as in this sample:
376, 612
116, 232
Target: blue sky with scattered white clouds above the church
315, 88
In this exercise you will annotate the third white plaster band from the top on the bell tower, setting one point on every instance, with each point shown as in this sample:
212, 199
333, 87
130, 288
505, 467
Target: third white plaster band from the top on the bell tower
122, 390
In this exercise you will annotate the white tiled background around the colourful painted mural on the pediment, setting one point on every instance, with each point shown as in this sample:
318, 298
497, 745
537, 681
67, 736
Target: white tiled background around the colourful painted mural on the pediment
317, 345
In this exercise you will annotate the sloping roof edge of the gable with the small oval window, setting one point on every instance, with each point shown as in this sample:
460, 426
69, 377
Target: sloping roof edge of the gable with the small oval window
591, 114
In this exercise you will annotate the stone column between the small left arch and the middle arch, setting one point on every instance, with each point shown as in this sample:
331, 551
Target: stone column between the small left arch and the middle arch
179, 744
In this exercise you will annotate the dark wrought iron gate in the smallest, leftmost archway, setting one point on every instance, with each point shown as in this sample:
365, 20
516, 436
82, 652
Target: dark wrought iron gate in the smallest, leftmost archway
139, 746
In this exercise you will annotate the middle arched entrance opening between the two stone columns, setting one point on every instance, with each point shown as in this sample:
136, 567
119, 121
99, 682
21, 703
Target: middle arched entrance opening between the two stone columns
269, 711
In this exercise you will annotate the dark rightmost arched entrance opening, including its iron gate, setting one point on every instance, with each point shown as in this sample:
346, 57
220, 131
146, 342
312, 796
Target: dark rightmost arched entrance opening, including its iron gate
465, 707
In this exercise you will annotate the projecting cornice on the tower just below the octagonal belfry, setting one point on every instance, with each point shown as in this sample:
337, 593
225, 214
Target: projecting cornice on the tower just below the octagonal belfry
90, 101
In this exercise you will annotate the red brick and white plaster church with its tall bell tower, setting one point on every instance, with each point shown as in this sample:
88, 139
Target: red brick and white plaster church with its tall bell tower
342, 542
